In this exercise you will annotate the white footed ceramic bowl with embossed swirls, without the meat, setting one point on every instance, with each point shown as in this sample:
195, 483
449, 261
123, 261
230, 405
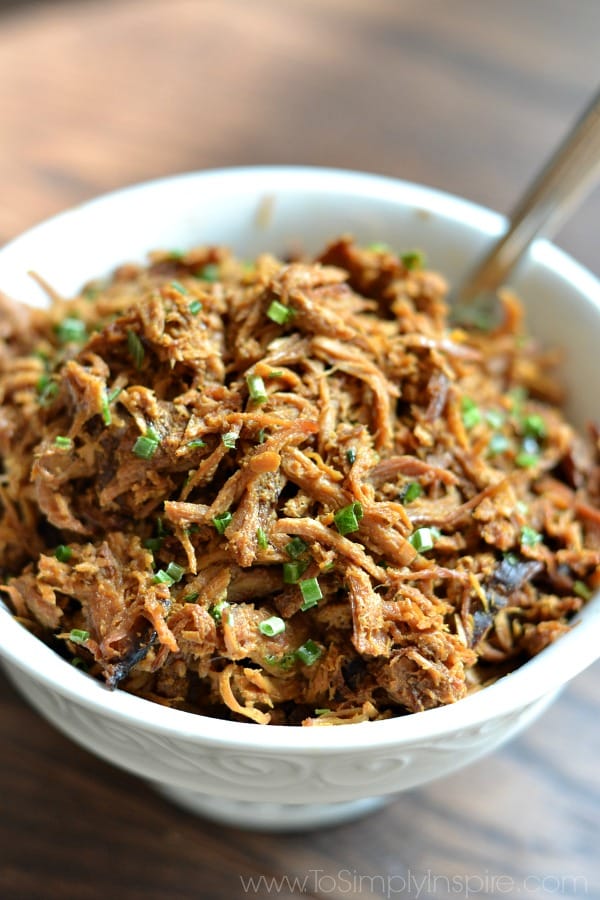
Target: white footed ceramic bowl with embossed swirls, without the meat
276, 776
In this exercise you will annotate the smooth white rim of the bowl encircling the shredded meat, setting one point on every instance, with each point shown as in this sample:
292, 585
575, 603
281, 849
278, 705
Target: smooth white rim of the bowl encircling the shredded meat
541, 675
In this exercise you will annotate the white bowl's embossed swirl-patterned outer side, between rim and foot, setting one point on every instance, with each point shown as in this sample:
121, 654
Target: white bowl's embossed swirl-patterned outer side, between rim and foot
186, 761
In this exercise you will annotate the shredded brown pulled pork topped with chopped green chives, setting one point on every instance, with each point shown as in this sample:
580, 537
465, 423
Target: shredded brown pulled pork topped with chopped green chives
288, 492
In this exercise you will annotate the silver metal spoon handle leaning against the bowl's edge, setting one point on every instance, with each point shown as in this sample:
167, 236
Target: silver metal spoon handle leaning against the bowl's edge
565, 178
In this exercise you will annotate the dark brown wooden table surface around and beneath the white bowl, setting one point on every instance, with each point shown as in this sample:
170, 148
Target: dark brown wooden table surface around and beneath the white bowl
467, 96
